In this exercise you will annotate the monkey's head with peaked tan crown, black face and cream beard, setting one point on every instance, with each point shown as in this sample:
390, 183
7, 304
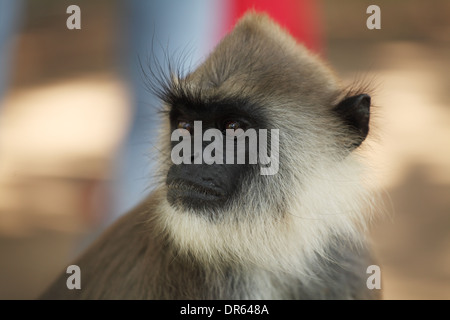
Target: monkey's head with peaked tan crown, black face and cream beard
259, 79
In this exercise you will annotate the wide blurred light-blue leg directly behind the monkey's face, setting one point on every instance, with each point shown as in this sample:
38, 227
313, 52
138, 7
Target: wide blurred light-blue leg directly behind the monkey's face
157, 29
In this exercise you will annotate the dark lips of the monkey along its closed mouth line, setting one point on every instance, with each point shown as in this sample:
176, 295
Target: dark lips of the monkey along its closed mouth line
188, 189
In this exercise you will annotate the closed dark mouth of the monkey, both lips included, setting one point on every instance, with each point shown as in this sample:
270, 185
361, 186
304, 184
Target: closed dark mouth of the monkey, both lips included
193, 194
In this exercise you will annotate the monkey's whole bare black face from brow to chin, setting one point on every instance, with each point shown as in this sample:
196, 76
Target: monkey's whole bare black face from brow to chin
216, 165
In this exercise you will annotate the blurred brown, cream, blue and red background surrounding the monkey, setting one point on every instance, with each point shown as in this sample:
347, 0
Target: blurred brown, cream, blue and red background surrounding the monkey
77, 124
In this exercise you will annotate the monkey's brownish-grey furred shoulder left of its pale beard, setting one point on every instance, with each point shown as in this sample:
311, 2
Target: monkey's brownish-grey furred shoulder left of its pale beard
114, 266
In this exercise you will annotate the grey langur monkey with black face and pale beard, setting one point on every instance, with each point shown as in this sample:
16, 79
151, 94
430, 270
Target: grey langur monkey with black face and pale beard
226, 231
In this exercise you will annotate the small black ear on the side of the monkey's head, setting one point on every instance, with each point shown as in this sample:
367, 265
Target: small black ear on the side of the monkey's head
355, 112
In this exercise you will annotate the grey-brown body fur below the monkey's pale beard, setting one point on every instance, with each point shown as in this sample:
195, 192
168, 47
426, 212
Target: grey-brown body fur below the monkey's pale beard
153, 270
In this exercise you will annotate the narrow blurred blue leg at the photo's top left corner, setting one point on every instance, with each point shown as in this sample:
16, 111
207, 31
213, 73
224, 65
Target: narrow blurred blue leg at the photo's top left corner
10, 11
